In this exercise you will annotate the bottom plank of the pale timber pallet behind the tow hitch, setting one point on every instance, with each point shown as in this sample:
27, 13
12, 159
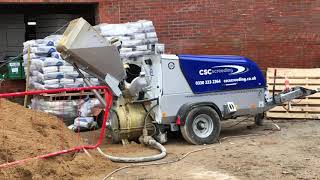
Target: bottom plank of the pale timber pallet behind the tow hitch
293, 115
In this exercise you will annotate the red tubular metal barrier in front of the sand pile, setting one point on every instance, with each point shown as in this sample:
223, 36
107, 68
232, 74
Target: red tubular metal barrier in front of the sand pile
108, 99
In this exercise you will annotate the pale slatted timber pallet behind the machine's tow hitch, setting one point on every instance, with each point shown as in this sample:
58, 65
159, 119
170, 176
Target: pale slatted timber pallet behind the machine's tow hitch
306, 108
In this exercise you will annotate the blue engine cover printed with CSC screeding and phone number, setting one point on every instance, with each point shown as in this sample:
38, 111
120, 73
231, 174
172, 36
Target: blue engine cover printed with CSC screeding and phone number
206, 74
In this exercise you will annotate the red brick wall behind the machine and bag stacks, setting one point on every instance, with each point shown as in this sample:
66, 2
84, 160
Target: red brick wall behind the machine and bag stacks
272, 33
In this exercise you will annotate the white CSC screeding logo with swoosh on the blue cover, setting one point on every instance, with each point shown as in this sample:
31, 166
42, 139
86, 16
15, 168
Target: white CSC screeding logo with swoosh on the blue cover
230, 69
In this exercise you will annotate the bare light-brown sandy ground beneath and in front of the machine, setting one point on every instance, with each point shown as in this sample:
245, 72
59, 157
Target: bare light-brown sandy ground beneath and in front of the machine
292, 153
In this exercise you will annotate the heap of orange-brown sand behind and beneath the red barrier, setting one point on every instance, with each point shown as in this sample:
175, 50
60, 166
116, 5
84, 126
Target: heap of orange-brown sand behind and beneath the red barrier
25, 133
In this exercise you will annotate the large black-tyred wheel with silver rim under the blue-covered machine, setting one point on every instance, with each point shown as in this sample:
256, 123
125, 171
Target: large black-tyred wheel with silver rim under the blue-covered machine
202, 126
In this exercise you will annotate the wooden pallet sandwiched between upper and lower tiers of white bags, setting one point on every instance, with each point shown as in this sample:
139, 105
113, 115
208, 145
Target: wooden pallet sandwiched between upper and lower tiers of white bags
69, 95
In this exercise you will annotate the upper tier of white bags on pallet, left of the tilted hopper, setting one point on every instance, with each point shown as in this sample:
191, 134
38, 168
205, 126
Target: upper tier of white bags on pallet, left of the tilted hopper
47, 69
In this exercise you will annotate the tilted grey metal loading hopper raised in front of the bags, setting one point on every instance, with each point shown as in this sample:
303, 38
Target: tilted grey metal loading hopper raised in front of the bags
83, 46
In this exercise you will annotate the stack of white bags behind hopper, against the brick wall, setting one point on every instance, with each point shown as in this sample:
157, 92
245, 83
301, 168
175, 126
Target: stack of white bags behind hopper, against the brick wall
137, 38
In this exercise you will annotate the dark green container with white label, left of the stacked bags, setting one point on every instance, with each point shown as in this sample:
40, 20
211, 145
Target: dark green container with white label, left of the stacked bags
15, 69
